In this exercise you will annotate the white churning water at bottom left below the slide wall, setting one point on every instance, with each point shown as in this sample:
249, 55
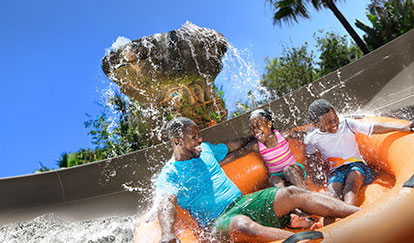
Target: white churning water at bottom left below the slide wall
52, 228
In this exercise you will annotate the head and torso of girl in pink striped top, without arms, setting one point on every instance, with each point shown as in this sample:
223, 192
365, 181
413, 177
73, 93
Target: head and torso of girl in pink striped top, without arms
275, 151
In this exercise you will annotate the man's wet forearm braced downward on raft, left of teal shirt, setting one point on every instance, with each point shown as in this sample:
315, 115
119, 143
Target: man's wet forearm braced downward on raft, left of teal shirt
167, 214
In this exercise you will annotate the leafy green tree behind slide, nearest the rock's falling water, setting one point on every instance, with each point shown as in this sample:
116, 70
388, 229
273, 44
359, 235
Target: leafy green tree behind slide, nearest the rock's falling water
292, 70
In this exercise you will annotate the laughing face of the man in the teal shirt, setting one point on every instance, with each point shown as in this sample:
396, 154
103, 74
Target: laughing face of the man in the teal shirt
189, 145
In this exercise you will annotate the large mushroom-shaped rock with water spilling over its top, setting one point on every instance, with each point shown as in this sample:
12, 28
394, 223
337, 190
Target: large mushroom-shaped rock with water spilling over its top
172, 73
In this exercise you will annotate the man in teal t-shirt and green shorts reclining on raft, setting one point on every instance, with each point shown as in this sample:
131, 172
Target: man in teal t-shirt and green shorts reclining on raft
194, 180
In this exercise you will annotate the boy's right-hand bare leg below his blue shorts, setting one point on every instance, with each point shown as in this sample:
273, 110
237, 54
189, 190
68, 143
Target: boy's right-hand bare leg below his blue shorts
353, 184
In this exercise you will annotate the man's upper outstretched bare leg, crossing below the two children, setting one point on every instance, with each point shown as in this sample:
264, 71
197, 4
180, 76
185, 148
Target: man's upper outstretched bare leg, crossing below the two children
292, 197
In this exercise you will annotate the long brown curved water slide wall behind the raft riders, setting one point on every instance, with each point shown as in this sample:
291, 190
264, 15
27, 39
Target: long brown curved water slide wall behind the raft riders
381, 82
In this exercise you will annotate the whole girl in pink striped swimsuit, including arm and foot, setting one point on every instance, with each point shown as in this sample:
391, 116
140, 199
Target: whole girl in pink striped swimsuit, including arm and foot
278, 158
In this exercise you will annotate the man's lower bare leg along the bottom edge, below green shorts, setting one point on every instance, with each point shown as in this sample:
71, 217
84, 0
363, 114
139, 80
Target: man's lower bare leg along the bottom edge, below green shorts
243, 229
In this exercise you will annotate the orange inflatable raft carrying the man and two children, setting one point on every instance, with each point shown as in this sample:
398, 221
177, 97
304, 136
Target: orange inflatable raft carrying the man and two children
388, 209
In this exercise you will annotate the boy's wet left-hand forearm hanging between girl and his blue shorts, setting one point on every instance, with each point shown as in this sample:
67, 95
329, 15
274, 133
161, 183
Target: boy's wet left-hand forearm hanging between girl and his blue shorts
317, 168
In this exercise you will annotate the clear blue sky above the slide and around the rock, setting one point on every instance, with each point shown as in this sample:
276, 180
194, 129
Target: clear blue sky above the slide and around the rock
50, 73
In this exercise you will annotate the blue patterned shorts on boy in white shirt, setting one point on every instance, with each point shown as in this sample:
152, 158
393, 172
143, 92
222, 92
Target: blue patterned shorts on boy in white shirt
339, 175
